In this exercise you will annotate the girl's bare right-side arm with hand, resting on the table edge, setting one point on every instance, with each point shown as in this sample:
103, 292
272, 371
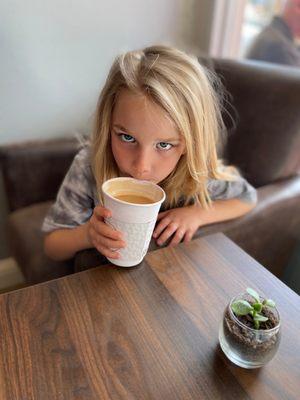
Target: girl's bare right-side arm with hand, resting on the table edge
184, 222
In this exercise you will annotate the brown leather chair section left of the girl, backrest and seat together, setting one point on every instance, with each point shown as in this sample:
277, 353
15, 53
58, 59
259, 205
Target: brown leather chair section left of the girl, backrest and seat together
32, 172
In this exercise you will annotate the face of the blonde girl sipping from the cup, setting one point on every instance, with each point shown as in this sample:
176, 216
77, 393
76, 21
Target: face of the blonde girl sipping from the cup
145, 142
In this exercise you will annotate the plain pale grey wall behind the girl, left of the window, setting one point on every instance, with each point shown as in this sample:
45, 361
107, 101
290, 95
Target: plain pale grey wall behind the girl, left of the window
55, 55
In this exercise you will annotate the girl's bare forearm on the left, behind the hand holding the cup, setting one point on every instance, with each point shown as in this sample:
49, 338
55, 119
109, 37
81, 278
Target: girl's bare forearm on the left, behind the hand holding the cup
63, 244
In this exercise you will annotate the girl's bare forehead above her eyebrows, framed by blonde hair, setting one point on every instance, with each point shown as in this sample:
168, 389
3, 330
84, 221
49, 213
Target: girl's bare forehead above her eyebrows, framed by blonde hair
135, 110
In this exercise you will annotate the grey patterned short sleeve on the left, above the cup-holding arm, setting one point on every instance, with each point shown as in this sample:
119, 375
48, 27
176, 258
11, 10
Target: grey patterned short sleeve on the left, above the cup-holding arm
75, 201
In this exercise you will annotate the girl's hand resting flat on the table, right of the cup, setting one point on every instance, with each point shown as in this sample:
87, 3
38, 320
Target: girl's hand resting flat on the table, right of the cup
181, 222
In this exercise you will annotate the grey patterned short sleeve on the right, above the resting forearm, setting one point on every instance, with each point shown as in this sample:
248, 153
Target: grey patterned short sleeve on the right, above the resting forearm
235, 189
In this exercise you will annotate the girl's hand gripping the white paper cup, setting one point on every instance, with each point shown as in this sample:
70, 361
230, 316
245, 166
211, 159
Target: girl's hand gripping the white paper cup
102, 236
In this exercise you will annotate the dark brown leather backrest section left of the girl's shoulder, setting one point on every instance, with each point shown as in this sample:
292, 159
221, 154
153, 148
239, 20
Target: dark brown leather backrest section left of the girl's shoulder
33, 171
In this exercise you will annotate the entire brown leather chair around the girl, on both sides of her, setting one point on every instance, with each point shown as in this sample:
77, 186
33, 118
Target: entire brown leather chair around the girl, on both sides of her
264, 143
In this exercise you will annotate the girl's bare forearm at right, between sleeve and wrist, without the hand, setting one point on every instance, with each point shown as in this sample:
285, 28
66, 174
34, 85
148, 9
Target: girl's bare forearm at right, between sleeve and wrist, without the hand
223, 210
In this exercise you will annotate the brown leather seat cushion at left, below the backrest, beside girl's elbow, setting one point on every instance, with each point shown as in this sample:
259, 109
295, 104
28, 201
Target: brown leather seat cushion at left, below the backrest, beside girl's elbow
26, 243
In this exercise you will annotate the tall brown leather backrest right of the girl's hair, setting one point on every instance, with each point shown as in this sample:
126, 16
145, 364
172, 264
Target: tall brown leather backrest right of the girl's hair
265, 143
